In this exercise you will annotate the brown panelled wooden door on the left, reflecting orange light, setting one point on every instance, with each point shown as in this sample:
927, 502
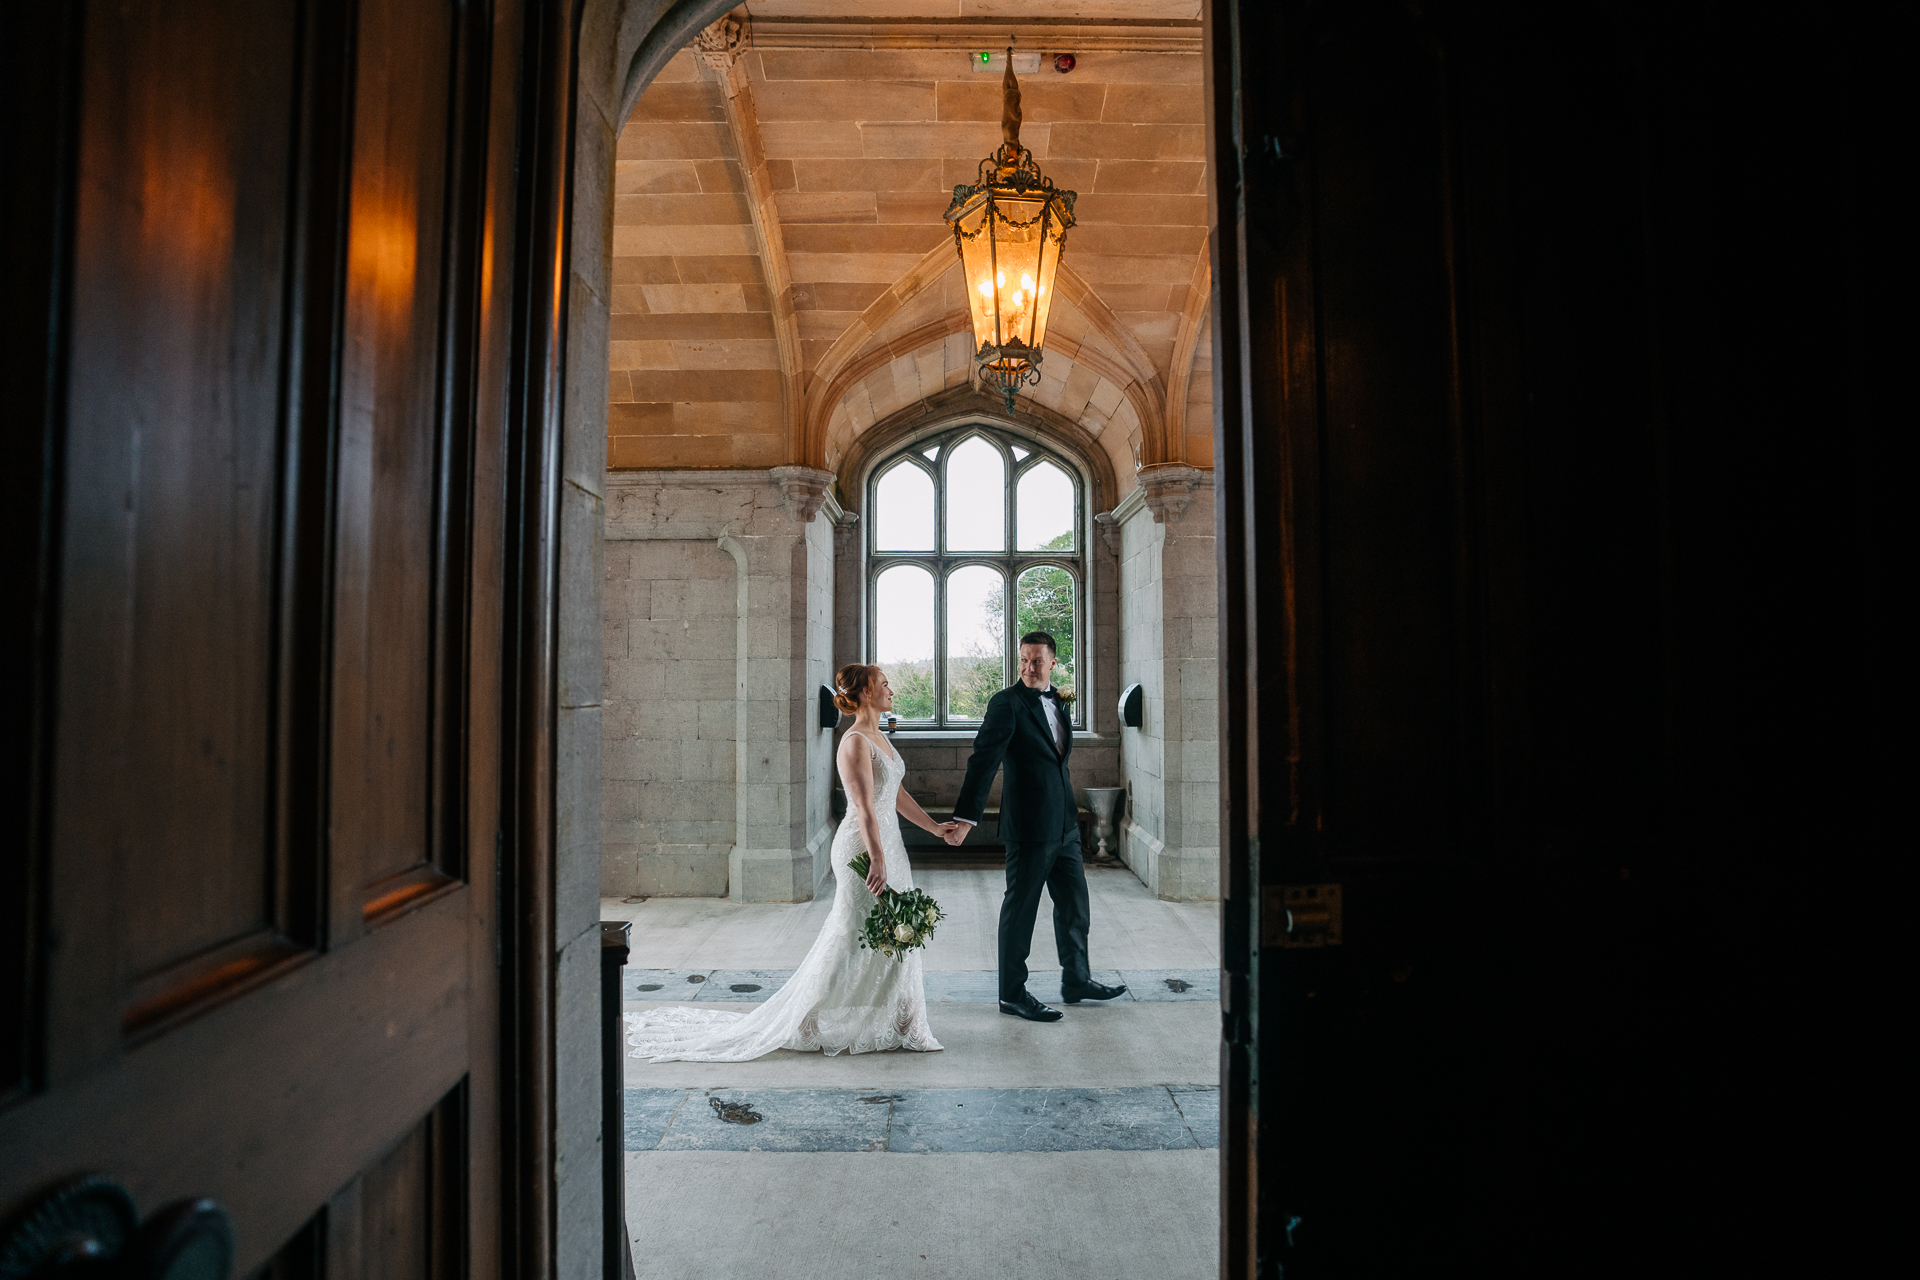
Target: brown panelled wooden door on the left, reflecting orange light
260, 289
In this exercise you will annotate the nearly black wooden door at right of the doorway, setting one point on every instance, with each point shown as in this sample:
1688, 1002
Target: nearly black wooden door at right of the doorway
1510, 410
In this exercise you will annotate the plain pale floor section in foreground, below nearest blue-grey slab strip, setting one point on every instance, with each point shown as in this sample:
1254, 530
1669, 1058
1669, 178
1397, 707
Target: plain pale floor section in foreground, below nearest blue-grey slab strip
1072, 1216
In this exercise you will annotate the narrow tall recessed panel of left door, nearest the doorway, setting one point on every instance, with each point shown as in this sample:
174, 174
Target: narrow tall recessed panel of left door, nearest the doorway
389, 431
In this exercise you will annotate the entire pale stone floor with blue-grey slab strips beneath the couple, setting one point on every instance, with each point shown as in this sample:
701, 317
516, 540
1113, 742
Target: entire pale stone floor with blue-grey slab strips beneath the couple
1082, 1149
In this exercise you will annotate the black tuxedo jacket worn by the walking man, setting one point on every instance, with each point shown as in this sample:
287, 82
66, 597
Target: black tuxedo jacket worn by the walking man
1038, 797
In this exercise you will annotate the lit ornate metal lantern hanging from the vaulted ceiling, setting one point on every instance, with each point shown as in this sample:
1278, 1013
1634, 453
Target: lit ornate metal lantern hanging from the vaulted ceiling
1009, 229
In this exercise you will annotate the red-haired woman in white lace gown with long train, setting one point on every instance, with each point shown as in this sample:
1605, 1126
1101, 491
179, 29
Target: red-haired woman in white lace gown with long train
842, 999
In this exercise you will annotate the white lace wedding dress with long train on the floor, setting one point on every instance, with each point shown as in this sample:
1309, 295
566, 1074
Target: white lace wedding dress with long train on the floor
842, 999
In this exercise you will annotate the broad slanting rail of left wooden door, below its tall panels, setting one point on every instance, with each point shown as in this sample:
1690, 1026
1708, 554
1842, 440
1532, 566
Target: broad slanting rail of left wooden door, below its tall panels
274, 1102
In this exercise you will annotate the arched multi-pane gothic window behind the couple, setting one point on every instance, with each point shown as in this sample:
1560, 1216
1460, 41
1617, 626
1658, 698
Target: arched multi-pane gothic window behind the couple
976, 536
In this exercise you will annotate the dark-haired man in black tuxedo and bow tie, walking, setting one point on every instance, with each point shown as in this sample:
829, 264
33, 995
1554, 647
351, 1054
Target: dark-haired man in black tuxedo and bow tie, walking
1028, 726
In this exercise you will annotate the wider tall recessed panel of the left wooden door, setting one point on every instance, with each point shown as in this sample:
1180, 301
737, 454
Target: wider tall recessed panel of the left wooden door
172, 460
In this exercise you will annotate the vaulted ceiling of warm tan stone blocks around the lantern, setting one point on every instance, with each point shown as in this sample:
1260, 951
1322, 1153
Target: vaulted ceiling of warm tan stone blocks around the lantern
784, 279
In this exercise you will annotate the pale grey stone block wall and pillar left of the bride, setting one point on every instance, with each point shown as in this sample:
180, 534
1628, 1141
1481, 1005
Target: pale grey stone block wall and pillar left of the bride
719, 607
